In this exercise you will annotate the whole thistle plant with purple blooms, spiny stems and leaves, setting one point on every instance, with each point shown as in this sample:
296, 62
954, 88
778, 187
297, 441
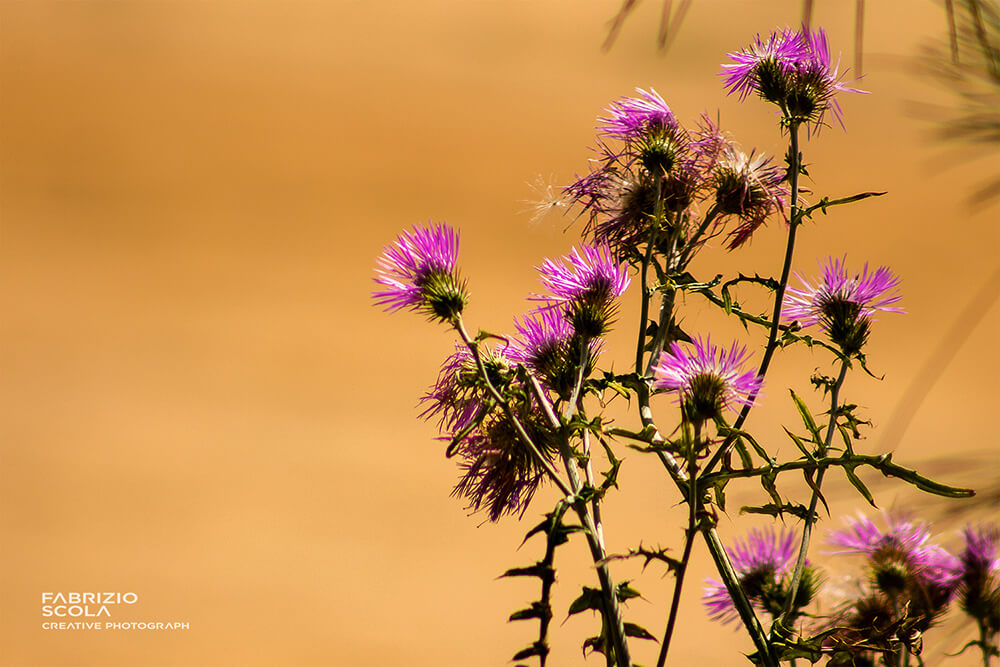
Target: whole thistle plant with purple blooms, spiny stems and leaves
523, 412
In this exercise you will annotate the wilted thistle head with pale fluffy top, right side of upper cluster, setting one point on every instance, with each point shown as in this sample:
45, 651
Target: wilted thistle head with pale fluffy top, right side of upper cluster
749, 187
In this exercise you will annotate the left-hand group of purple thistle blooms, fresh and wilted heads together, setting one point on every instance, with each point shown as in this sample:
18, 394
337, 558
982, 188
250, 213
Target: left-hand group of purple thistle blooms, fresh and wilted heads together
557, 344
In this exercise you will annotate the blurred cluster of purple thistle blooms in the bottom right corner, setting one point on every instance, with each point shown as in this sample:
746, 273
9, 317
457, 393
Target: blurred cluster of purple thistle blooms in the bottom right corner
908, 585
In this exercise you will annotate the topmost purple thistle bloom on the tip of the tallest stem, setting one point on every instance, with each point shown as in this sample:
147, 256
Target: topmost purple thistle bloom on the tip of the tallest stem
791, 69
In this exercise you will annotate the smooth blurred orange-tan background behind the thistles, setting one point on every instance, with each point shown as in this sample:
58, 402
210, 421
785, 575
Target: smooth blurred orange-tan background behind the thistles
200, 404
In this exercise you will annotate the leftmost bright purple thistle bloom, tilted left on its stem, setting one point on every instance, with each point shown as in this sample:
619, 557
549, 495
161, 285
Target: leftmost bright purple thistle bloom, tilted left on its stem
419, 273
